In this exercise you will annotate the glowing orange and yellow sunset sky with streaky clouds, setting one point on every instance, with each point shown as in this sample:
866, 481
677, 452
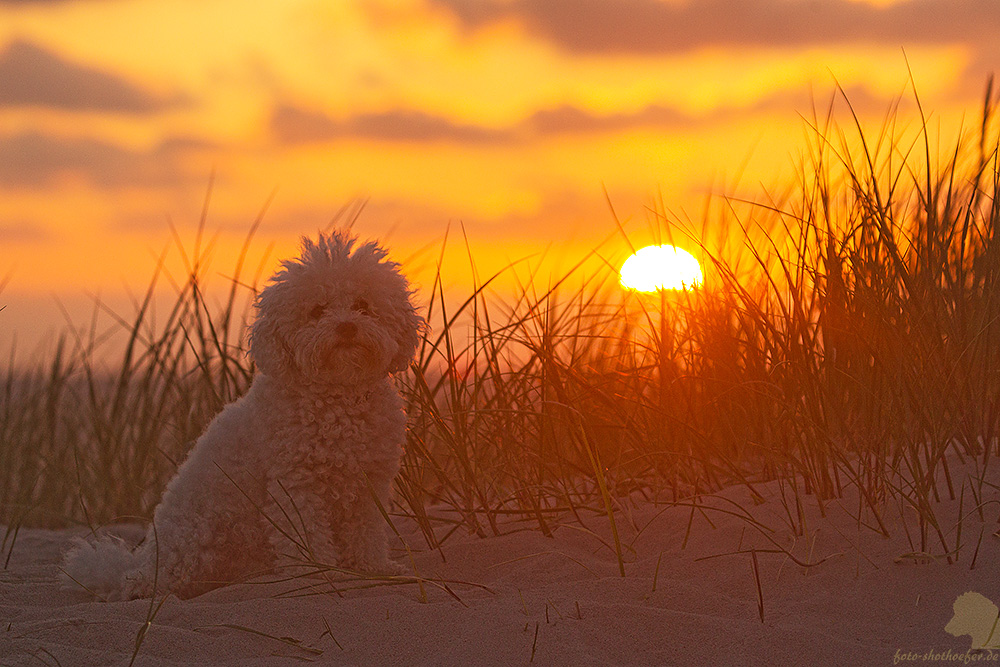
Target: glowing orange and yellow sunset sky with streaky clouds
511, 122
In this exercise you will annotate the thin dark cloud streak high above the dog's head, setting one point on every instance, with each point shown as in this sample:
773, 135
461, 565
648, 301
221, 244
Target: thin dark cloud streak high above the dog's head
293, 125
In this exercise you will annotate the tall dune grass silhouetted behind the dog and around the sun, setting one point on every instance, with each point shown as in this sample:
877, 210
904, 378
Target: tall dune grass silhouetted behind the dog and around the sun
847, 337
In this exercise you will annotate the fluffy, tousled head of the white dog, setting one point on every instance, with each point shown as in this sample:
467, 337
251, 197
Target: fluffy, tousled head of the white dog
338, 315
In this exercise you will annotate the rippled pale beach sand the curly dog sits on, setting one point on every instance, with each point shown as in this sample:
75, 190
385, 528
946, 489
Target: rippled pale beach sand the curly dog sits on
524, 598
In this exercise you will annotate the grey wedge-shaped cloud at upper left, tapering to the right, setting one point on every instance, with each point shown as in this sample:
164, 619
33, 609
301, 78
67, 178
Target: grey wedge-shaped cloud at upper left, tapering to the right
32, 76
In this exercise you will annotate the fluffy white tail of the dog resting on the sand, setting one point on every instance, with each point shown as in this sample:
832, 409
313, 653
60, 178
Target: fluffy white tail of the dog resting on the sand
101, 566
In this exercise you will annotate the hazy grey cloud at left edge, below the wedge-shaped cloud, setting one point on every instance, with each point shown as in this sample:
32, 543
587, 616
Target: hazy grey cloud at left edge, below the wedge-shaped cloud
33, 160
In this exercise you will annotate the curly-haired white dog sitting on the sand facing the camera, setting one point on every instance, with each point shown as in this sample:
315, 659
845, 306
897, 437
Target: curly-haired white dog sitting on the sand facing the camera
290, 472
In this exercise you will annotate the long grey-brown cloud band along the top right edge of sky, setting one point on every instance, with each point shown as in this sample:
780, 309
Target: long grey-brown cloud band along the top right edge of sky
657, 27
